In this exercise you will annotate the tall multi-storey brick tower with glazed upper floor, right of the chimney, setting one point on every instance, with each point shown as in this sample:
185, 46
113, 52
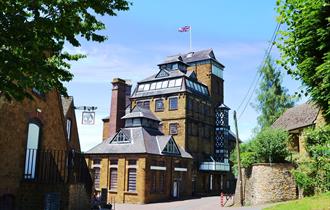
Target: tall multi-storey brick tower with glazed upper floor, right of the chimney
186, 94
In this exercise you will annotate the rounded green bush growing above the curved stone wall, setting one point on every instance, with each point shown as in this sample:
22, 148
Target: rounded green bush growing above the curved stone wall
269, 146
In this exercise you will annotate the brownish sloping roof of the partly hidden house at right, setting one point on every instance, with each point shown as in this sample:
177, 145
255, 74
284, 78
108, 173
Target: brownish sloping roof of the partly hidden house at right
296, 117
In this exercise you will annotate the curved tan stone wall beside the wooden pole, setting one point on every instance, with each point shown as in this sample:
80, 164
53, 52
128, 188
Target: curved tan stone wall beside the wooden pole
265, 183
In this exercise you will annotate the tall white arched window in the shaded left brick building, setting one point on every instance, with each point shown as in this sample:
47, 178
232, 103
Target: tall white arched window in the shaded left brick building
32, 146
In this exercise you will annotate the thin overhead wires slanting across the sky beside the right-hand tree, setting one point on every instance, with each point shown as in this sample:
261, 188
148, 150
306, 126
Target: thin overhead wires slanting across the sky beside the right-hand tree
266, 55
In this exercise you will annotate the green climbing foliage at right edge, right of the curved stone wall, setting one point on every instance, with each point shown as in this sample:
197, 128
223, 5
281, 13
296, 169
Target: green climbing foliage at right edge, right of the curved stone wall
313, 172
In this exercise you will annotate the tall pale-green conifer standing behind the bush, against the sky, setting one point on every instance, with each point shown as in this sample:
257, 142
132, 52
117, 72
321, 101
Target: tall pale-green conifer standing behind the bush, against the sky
272, 99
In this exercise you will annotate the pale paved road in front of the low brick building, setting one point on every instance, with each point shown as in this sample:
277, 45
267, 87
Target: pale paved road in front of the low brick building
206, 203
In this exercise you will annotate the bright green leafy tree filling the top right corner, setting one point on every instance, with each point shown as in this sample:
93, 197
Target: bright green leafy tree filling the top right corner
305, 46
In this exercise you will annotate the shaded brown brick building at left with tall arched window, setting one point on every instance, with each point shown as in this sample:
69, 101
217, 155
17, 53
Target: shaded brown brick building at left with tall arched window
39, 151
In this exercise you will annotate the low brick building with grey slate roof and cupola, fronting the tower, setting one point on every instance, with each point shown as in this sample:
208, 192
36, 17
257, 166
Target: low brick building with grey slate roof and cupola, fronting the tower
139, 163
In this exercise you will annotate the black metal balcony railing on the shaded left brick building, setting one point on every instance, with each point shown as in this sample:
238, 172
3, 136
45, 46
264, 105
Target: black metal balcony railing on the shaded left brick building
56, 167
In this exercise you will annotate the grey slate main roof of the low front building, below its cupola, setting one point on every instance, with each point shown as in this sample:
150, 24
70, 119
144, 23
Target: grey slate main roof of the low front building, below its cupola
142, 140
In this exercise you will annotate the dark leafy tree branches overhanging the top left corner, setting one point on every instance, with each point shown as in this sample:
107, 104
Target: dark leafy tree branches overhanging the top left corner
32, 37
